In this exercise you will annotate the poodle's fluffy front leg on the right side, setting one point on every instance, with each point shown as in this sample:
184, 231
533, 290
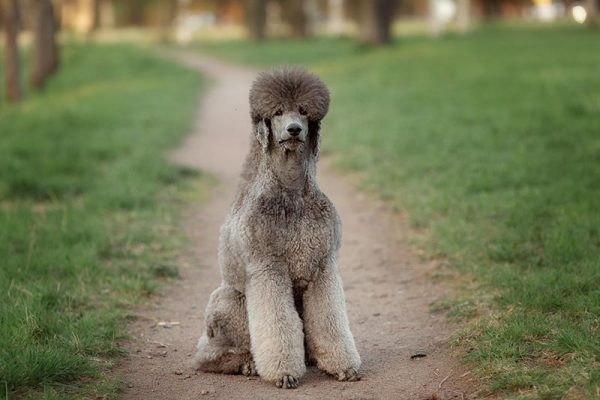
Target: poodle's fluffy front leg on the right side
328, 337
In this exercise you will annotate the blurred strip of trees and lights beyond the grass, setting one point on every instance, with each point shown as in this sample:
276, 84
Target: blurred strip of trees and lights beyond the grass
372, 22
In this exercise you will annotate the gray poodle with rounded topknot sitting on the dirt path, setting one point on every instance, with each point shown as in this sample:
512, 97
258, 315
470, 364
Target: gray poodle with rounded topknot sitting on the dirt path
281, 289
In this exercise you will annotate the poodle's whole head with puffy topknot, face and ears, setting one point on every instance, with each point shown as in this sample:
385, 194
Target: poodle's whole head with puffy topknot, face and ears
287, 105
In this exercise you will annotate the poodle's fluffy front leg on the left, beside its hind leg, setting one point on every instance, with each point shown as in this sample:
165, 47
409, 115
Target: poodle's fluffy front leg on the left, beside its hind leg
275, 326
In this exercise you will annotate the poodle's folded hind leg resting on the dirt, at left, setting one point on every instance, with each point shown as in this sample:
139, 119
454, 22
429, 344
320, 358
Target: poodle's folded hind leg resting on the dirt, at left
225, 345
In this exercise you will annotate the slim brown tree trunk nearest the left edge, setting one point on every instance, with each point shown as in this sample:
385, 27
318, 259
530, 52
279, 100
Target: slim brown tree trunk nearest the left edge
9, 13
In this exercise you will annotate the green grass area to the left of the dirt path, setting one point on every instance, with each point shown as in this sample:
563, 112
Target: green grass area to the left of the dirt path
87, 214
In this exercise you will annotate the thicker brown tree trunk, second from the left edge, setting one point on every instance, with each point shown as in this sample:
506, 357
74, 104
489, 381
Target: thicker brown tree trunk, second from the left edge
45, 49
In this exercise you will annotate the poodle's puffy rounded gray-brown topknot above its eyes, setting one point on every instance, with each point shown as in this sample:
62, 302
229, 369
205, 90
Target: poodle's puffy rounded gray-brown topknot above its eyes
285, 89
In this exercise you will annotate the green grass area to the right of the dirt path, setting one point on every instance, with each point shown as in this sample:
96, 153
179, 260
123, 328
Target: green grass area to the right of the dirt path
490, 143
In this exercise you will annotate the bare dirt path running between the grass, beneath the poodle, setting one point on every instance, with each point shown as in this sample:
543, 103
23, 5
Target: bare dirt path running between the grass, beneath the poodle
387, 291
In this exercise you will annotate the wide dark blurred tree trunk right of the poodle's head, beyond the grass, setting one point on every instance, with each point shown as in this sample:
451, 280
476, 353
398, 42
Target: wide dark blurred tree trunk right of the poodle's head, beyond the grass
376, 18
